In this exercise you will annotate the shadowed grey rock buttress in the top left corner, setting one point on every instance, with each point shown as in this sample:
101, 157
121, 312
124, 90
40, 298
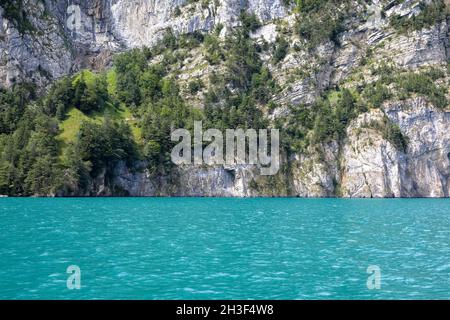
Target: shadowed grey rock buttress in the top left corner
39, 53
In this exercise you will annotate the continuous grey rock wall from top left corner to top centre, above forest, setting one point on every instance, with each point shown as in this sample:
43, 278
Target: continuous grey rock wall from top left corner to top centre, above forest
66, 35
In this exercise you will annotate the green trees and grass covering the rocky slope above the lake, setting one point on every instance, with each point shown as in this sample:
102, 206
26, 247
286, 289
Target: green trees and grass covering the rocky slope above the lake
89, 122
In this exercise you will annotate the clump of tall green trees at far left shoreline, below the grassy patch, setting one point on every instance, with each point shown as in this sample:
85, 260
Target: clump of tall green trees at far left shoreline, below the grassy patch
29, 156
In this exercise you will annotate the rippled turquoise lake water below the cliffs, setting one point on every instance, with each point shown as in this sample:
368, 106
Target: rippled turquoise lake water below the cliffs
192, 248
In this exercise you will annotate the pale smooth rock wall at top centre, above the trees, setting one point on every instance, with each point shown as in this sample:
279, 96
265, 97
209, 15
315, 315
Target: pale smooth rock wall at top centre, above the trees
140, 22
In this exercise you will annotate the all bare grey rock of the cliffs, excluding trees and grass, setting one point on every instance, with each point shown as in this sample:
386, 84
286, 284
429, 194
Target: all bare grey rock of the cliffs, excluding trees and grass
364, 164
